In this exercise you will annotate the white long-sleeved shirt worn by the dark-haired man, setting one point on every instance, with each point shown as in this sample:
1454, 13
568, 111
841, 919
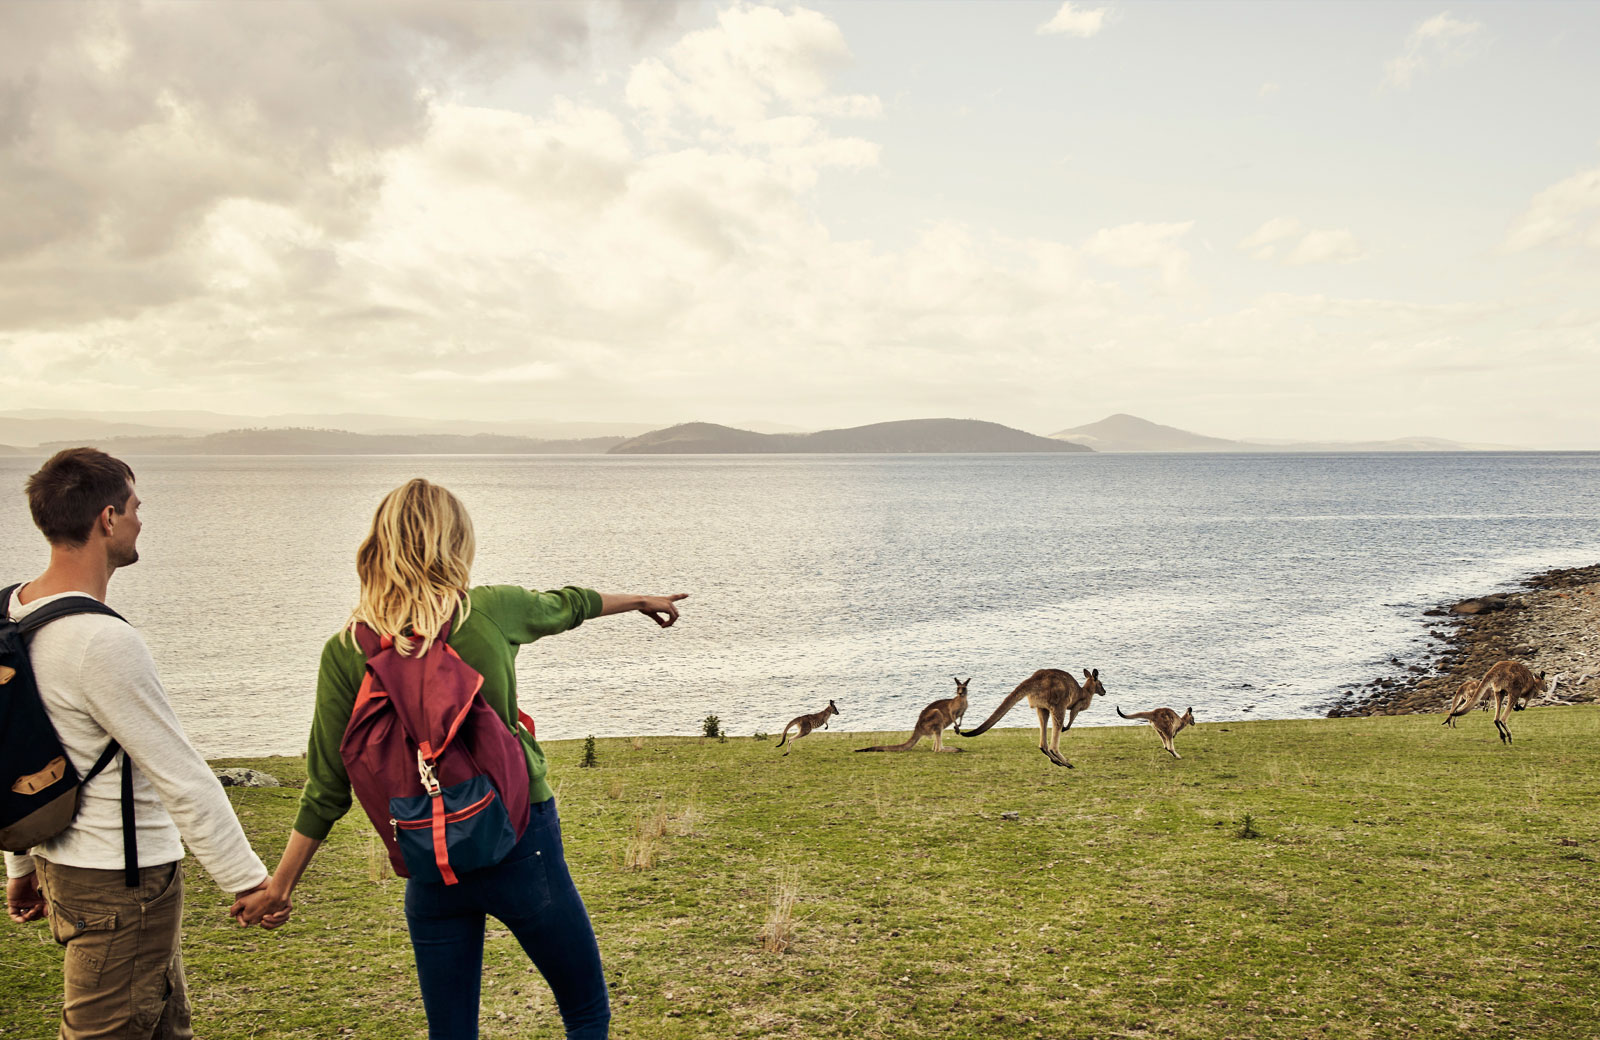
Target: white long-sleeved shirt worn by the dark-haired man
98, 682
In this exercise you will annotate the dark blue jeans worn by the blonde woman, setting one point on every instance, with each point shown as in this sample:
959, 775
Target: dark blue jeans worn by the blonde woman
534, 895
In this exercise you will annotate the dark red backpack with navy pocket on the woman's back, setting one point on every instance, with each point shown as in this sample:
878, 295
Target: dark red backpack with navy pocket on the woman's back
439, 772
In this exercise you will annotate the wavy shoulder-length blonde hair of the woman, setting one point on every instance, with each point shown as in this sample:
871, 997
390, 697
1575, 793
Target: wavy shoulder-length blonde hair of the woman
415, 566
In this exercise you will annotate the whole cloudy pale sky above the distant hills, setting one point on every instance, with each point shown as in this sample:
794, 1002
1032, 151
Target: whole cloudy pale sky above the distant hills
1346, 222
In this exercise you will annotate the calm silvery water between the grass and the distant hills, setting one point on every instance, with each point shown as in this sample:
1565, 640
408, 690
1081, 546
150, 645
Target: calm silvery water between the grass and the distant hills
1247, 586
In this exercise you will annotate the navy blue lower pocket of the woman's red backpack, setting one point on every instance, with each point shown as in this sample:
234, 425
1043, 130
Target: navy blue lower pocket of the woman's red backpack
463, 828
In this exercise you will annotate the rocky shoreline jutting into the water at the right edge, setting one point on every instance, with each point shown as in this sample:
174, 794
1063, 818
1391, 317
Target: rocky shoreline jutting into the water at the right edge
1551, 623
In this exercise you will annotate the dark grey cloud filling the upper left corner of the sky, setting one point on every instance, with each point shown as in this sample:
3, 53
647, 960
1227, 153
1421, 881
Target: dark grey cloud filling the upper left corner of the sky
127, 126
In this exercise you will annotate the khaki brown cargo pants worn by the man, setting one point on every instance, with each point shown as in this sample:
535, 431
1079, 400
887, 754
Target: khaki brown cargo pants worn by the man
124, 972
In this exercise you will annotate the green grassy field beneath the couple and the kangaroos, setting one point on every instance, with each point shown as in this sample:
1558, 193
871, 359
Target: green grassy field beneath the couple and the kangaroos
1407, 881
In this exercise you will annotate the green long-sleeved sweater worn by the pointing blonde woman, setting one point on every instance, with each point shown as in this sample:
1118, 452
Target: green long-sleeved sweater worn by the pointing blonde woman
503, 618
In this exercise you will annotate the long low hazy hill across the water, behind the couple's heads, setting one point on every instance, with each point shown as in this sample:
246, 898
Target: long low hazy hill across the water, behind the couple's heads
342, 442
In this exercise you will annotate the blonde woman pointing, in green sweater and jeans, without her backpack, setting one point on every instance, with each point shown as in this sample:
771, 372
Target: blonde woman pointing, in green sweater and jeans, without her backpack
414, 567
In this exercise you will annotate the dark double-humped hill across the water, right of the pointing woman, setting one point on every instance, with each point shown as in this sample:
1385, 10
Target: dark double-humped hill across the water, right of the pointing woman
906, 438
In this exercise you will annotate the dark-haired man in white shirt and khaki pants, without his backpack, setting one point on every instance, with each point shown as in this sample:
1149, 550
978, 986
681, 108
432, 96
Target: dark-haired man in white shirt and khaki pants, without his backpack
124, 974
